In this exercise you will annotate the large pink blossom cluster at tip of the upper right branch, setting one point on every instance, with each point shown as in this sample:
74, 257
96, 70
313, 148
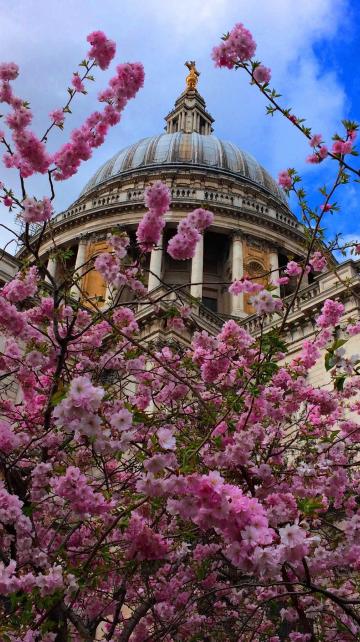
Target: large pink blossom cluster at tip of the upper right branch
238, 46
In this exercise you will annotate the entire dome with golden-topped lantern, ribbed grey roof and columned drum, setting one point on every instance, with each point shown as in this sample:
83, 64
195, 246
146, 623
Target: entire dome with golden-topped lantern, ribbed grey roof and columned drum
254, 231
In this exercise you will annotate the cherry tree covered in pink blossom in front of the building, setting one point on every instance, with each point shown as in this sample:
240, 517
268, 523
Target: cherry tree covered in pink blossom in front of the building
203, 491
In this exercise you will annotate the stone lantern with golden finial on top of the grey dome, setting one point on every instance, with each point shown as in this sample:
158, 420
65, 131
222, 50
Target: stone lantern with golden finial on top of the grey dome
189, 113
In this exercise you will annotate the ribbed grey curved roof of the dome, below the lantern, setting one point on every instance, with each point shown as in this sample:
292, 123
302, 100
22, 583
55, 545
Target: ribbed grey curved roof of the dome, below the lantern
180, 149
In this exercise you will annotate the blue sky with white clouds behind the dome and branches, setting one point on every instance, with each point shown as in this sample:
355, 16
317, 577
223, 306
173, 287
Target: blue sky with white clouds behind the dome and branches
312, 47
